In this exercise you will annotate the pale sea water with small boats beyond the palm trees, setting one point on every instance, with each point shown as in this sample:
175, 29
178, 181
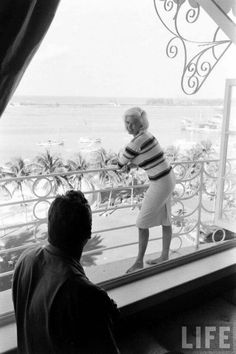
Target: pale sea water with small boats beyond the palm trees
27, 122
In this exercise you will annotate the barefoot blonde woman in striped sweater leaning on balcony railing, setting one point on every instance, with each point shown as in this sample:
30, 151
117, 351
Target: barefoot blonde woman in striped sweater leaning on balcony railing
145, 152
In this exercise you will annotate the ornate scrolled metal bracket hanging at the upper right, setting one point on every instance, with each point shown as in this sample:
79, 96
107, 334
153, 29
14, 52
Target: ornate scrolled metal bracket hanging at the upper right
200, 57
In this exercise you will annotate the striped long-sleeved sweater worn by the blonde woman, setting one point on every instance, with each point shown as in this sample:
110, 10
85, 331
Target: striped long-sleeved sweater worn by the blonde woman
145, 152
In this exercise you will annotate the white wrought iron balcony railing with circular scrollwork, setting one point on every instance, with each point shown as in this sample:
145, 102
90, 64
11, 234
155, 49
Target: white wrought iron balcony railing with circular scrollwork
23, 213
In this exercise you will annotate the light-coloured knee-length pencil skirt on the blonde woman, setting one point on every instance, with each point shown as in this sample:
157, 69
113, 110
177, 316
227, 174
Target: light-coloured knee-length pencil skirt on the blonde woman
156, 206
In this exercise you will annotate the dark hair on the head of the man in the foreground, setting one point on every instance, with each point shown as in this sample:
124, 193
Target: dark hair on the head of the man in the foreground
69, 221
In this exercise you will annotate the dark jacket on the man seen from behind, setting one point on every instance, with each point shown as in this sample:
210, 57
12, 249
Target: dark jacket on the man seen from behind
58, 310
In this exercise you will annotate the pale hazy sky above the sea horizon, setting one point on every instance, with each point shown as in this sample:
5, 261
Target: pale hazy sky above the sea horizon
113, 48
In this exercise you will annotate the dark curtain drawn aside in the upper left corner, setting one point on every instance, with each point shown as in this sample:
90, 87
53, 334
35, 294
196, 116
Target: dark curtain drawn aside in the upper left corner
23, 24
